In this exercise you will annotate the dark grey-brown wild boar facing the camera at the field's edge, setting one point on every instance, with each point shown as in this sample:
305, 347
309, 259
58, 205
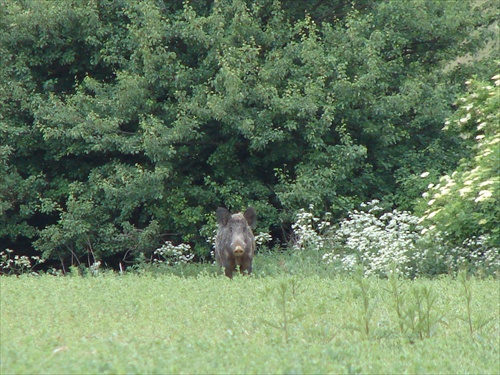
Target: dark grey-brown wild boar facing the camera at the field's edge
235, 242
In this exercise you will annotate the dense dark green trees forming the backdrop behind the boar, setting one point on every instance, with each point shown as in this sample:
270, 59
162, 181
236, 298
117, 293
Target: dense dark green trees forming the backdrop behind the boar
126, 123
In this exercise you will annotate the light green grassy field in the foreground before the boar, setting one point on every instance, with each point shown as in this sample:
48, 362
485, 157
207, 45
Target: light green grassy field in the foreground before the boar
167, 324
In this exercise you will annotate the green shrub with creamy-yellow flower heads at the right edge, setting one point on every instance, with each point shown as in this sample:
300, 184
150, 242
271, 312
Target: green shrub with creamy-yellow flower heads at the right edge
467, 203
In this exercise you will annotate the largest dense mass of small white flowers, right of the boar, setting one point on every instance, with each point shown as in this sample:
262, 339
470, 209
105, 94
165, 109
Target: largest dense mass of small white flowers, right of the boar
377, 242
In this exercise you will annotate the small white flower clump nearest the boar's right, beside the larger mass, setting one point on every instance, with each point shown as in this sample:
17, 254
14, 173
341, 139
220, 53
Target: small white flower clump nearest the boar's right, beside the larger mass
310, 232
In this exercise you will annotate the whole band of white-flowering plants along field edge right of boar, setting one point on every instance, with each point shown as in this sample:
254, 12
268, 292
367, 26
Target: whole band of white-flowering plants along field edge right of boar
383, 242
